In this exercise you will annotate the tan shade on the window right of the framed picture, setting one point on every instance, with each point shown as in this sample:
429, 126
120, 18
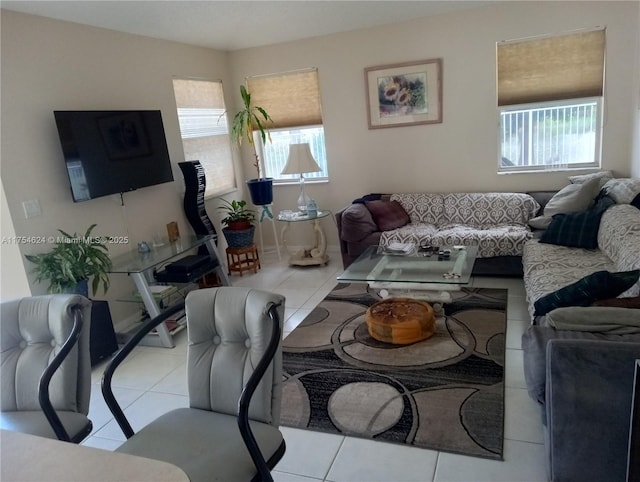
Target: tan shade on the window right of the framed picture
552, 68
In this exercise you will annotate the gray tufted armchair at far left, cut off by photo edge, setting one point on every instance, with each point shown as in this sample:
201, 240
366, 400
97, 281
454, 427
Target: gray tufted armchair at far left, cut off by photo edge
46, 368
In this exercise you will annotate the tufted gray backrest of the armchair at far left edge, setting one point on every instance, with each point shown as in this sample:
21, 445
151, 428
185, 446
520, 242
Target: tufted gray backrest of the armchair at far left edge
33, 330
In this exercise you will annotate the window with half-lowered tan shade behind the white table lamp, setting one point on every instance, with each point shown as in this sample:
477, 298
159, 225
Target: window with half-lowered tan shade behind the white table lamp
292, 99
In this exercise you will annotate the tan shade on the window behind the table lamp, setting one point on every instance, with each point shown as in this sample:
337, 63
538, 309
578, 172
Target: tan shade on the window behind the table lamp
291, 99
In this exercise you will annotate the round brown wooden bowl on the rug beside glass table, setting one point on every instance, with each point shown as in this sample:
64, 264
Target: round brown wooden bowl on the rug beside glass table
400, 321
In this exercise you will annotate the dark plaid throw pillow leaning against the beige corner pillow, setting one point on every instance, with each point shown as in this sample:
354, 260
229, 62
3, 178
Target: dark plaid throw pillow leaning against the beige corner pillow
577, 230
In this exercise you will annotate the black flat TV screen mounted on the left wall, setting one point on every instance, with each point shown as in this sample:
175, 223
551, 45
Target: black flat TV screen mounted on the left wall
111, 152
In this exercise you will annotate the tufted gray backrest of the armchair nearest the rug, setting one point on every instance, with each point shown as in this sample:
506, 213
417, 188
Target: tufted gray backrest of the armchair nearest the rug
229, 330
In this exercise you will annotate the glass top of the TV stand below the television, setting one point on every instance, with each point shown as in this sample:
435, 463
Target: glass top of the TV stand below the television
135, 262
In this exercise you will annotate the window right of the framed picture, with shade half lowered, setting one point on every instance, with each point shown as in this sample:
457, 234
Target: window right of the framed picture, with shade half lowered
550, 92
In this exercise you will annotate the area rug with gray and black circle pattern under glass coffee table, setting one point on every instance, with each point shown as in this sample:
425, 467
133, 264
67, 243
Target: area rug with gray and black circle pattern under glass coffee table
444, 393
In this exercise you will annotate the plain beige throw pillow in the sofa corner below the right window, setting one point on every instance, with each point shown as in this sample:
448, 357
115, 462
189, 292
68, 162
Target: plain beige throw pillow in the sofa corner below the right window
570, 199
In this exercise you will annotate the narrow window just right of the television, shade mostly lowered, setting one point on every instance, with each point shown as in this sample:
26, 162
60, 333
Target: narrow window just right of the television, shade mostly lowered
205, 133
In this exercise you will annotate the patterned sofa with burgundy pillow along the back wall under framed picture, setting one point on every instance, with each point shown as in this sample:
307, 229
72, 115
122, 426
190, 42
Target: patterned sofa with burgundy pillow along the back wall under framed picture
495, 222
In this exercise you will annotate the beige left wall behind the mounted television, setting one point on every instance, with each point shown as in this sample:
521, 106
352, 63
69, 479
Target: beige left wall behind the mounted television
49, 65
